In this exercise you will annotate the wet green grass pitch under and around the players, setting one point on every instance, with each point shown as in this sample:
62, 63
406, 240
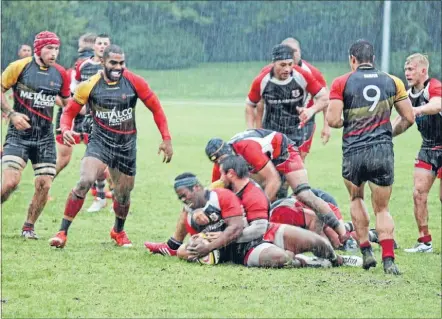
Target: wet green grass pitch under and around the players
91, 278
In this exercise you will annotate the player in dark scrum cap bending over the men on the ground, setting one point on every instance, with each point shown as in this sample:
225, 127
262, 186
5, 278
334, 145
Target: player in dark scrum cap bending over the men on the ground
269, 153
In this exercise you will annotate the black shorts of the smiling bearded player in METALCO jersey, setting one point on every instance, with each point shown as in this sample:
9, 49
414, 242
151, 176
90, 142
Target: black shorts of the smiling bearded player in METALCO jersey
120, 157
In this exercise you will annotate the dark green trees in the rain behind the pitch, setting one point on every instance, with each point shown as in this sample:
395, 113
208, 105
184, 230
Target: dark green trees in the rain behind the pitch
181, 34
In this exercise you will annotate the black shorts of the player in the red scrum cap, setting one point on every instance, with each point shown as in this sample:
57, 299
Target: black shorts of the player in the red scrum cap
38, 151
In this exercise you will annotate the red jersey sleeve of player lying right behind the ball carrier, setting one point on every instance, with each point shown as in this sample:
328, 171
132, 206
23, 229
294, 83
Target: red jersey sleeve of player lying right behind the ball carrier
254, 201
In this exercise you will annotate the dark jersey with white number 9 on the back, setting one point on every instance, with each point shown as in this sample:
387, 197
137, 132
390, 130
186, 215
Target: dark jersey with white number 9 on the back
368, 96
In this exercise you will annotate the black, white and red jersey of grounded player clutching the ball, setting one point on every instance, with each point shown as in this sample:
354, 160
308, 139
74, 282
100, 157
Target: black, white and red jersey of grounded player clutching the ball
221, 204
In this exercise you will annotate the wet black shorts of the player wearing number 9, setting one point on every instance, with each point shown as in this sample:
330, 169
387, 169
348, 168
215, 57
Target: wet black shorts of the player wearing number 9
375, 163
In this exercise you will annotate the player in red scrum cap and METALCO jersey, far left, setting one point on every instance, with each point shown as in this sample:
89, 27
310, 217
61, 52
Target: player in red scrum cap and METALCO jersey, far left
36, 82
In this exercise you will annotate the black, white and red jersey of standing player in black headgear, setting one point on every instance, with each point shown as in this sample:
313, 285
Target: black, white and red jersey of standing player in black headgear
282, 97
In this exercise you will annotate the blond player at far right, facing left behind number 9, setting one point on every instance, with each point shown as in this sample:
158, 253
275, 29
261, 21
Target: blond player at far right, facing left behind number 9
425, 95
